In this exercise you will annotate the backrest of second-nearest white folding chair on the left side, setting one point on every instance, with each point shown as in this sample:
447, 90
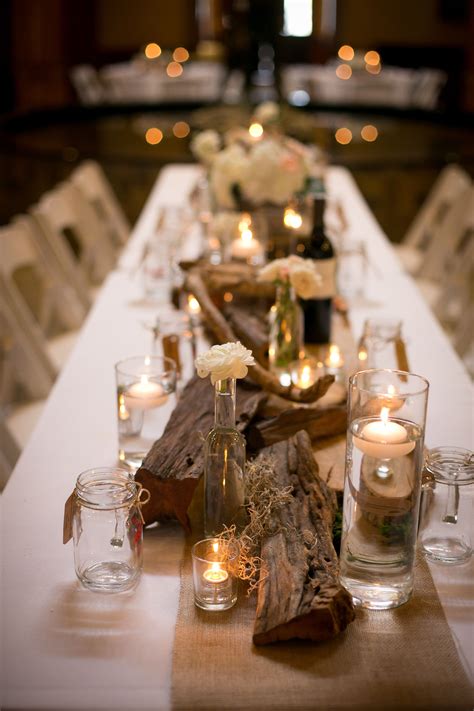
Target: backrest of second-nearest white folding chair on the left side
37, 282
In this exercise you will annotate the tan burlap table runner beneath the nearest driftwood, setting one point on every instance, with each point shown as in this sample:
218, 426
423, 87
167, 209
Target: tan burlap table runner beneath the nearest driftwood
402, 658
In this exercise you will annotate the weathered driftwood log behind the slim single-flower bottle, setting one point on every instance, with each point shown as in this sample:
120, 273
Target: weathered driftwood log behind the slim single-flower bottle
173, 466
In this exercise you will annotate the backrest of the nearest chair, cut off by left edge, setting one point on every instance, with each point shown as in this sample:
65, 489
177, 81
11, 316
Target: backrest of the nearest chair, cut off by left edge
27, 371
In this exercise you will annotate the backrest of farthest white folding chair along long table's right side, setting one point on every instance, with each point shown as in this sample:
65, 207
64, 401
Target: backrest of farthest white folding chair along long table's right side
451, 181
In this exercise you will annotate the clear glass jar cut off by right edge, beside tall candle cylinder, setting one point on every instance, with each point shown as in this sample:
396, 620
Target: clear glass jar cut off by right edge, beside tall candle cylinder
445, 535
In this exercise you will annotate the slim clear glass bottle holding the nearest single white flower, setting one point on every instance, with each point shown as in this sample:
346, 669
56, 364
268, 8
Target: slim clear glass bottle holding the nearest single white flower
224, 465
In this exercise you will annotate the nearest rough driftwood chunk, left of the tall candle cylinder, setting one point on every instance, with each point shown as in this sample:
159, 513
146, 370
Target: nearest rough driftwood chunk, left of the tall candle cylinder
300, 597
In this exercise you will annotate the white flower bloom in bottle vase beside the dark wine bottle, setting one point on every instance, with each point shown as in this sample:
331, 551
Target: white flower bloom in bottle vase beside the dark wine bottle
301, 273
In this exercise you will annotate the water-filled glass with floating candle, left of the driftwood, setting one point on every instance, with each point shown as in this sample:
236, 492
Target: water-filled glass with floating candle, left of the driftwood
146, 397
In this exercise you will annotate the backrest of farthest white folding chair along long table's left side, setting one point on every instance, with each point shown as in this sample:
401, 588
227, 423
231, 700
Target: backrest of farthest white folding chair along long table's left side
94, 185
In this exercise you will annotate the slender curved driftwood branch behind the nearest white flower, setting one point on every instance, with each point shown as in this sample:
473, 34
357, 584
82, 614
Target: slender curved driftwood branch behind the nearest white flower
223, 332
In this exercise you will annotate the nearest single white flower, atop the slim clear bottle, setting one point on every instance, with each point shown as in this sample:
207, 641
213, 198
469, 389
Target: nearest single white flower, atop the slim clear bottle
229, 360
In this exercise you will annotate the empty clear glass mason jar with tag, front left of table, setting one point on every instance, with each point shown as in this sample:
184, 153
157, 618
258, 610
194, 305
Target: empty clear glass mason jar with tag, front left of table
108, 529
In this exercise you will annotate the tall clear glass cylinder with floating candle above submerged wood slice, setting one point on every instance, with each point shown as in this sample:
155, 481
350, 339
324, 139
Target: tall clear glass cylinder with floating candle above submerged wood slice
384, 462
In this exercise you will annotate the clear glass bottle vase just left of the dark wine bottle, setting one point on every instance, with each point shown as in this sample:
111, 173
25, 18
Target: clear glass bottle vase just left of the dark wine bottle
286, 330
